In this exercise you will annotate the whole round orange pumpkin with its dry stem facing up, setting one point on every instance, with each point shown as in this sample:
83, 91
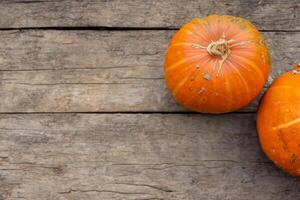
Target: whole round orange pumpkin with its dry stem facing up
217, 64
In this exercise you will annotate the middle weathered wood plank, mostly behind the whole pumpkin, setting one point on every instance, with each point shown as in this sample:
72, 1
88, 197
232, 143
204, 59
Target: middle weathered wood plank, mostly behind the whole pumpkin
99, 71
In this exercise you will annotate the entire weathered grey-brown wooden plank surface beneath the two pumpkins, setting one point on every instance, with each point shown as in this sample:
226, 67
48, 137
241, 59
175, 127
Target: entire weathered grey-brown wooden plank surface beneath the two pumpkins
85, 113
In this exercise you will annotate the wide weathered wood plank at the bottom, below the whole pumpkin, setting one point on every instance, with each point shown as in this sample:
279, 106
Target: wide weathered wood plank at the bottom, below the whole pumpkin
137, 156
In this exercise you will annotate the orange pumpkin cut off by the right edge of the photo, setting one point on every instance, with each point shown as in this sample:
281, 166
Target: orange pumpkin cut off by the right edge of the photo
278, 122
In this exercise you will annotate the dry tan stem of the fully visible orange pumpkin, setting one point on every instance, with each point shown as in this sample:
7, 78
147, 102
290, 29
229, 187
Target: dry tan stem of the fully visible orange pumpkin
219, 48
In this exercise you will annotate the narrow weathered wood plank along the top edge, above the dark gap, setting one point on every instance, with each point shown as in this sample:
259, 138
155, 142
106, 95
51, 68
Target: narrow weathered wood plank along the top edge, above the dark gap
267, 14
